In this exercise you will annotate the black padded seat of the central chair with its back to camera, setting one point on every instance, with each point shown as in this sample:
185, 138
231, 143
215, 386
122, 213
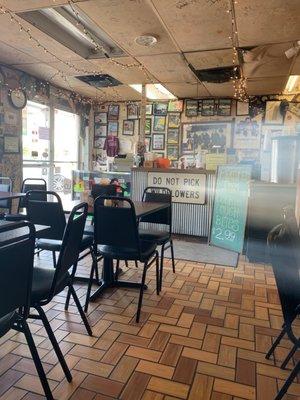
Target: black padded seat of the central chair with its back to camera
117, 253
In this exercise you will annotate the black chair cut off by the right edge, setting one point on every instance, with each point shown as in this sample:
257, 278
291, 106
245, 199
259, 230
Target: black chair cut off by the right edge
284, 246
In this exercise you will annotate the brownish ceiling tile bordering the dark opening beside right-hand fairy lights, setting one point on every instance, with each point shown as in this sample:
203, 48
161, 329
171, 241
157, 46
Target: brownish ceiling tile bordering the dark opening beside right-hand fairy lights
210, 59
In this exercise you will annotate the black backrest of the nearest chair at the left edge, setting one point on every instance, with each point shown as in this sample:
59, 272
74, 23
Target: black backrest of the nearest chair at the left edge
16, 268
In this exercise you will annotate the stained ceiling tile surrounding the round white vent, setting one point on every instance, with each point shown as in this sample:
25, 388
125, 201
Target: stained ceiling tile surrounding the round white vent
125, 20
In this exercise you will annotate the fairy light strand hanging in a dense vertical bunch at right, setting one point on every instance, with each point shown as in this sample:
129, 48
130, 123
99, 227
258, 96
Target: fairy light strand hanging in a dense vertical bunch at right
239, 81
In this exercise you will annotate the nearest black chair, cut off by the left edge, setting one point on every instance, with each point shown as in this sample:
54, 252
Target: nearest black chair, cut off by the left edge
15, 290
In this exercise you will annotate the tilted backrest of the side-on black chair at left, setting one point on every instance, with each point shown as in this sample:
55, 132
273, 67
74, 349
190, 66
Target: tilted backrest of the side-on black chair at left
71, 244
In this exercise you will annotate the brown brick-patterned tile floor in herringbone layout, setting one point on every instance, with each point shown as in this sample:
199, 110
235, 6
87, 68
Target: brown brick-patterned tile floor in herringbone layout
203, 338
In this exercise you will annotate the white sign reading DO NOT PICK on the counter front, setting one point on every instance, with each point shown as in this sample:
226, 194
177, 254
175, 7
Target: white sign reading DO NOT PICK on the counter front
186, 188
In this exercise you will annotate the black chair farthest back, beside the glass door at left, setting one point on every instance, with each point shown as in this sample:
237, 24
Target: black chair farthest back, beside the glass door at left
29, 184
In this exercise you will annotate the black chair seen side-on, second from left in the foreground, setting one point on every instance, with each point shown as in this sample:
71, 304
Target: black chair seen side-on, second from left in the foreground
48, 282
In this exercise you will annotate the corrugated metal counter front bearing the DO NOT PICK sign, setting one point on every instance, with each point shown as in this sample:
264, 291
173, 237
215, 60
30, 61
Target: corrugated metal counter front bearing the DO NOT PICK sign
192, 192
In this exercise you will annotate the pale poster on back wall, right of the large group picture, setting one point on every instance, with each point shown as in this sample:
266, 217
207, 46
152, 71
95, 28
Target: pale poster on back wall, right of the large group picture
246, 133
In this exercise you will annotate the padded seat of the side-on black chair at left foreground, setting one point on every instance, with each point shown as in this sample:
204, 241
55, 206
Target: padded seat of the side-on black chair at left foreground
42, 282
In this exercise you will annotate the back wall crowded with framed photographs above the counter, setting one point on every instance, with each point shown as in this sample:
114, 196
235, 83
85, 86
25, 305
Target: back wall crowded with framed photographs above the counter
204, 132
